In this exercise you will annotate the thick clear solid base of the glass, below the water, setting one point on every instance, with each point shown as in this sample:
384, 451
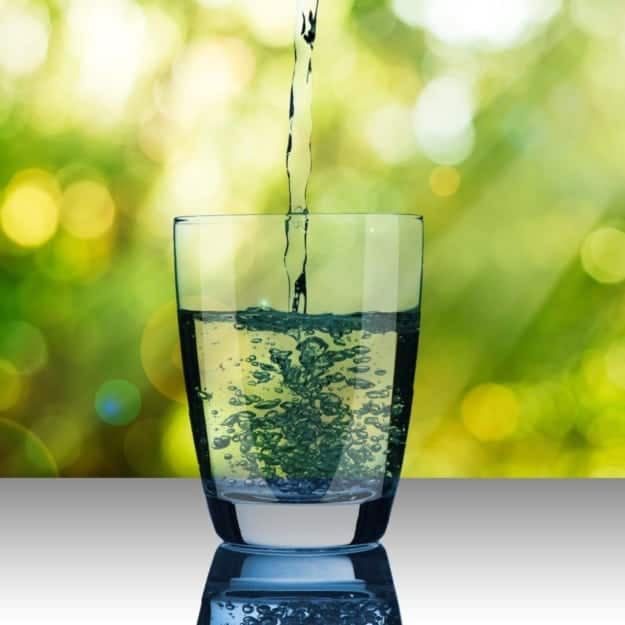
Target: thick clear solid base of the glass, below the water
300, 526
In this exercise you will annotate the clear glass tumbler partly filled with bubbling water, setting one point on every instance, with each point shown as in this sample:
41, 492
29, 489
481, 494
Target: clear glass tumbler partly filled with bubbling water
299, 419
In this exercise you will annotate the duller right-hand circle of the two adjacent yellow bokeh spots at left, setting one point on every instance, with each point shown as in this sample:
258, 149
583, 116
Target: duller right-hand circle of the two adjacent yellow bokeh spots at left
88, 210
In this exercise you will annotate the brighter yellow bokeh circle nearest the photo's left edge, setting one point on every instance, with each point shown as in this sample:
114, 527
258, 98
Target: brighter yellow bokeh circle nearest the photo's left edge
30, 211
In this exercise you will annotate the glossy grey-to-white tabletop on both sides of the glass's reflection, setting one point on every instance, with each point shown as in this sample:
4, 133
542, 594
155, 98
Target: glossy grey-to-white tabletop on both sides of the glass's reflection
133, 552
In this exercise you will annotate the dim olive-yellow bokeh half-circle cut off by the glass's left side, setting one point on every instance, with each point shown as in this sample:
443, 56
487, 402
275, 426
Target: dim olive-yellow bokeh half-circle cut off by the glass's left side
158, 344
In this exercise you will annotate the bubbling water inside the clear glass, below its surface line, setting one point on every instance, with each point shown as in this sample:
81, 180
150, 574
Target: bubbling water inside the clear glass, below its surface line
303, 407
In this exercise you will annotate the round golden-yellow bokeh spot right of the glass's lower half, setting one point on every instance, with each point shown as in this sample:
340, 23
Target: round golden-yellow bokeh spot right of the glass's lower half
491, 412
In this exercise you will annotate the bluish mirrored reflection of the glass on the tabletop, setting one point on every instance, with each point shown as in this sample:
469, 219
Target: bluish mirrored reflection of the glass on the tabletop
245, 587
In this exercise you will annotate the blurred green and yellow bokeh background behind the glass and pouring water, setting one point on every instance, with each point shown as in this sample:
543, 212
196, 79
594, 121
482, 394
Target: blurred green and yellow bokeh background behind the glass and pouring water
501, 123
